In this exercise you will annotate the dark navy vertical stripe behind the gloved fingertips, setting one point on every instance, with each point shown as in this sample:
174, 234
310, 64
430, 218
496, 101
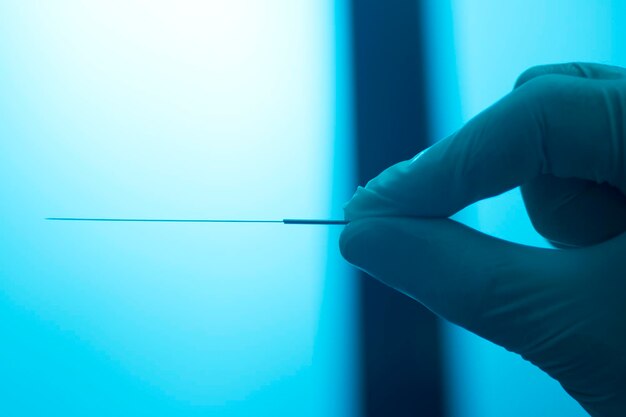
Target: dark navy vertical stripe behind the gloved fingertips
399, 339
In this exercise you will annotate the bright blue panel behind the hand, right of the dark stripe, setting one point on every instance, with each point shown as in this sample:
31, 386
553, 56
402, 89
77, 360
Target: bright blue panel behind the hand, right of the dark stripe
477, 50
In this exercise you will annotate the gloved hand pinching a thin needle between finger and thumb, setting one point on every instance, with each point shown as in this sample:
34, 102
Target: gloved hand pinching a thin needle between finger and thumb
561, 136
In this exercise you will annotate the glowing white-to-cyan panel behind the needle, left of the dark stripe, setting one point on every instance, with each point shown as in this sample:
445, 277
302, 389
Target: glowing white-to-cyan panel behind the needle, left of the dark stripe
188, 109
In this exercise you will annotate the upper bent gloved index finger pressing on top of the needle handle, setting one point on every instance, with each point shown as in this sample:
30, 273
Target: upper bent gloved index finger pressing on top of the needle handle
560, 124
